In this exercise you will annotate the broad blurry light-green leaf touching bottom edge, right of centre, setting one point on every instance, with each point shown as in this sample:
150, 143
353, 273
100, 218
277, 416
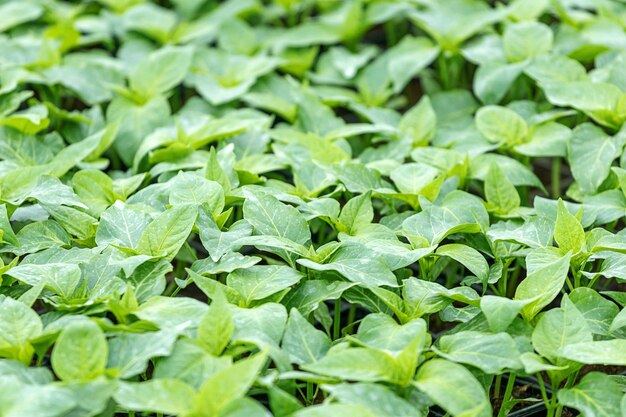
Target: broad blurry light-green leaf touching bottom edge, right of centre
453, 388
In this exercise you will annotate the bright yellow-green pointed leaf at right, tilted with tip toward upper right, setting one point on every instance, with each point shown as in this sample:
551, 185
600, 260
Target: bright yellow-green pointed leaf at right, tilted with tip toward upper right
542, 286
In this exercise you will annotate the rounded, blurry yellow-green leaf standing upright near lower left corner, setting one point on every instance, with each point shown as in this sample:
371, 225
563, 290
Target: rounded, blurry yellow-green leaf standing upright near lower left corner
80, 353
